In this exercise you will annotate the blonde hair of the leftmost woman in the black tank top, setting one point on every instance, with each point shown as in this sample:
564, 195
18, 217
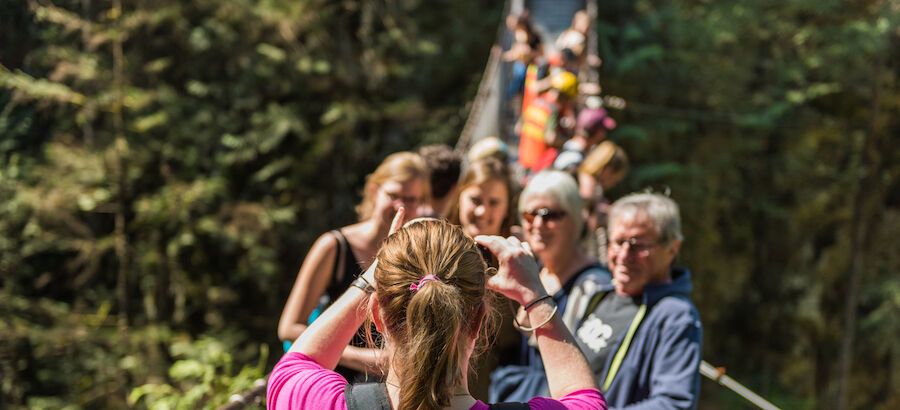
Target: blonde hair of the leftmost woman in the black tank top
400, 167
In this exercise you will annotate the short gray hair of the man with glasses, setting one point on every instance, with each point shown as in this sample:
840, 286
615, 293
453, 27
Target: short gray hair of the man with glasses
661, 210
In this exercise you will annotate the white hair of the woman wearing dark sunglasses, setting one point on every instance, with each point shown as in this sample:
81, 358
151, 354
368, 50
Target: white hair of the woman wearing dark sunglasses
560, 186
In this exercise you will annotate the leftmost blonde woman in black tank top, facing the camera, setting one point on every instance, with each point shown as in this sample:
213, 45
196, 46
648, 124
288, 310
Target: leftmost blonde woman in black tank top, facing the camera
339, 256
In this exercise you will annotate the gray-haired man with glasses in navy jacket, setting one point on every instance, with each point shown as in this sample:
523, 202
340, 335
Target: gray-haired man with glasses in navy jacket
642, 334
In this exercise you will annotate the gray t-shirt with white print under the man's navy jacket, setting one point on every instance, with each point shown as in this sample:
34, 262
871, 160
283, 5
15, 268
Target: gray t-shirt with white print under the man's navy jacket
605, 327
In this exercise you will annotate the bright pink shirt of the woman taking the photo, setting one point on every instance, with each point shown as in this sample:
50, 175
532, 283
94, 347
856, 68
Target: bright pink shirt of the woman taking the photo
298, 382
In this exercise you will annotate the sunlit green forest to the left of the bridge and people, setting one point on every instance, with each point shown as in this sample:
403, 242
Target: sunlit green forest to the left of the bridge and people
164, 163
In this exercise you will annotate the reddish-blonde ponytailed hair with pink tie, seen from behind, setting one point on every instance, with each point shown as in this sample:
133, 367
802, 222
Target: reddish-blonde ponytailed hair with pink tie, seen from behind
429, 329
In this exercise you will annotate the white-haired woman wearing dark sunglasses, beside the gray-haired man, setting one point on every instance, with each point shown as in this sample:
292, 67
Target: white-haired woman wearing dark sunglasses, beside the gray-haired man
553, 224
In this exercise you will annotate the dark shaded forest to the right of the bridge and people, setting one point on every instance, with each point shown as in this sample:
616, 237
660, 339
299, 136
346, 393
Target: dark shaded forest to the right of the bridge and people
773, 124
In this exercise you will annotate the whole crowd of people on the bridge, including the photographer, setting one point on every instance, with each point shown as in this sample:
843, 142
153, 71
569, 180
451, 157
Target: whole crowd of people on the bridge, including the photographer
499, 277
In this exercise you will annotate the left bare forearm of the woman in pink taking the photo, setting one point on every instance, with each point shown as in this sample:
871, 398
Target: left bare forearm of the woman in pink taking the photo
325, 339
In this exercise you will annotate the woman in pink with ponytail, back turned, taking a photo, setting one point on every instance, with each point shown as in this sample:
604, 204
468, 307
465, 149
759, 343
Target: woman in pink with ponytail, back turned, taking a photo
427, 294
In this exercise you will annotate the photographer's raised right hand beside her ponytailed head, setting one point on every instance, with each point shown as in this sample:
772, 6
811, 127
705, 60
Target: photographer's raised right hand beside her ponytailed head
517, 276
